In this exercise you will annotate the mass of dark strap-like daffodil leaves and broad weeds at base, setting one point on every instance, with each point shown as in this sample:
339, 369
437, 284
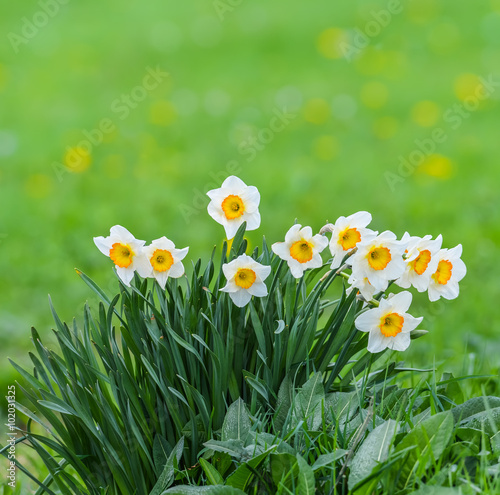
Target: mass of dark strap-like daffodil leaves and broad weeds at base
170, 391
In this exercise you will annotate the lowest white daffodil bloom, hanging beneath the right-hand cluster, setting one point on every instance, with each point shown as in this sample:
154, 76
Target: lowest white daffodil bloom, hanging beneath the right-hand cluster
389, 325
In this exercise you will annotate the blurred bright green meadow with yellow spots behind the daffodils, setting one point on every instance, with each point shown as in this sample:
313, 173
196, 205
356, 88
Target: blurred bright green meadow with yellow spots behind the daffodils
356, 87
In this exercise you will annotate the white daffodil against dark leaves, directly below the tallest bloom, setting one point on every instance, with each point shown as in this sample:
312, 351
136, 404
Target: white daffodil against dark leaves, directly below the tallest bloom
245, 278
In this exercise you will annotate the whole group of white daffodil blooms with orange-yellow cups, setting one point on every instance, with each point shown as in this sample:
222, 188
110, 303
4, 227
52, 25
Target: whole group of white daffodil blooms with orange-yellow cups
375, 260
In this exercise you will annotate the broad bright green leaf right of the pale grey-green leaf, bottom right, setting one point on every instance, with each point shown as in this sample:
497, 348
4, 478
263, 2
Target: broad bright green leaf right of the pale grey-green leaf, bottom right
427, 442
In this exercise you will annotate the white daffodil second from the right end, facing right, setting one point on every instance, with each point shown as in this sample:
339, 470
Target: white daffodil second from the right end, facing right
421, 261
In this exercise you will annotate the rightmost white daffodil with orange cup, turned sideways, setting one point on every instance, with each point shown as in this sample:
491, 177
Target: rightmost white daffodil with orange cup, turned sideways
450, 270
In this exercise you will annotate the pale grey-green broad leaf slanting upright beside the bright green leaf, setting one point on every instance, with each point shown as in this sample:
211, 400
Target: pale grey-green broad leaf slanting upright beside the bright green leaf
373, 451
